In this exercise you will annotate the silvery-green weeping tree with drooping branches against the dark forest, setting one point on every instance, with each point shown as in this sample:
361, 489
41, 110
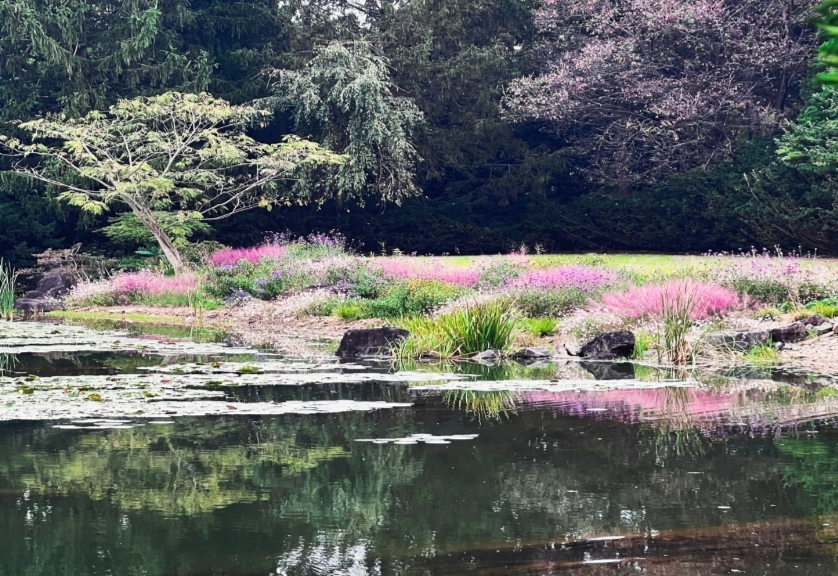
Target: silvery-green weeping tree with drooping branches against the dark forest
344, 98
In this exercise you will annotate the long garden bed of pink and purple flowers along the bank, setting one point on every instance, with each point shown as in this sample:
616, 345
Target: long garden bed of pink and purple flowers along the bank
555, 299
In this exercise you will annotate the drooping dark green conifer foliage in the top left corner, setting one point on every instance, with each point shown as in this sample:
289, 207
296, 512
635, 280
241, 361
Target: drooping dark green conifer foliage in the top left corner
76, 56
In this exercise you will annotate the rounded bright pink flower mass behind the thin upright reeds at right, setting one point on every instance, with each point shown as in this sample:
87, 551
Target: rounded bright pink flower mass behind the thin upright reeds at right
704, 299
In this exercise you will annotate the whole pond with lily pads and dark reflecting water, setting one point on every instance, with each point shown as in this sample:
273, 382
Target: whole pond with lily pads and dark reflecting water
125, 455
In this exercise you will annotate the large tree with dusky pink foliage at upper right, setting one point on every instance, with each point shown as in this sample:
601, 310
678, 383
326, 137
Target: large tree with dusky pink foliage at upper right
646, 88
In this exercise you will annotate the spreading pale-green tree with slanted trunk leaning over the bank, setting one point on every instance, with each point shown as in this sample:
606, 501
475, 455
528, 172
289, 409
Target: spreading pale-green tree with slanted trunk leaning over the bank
176, 160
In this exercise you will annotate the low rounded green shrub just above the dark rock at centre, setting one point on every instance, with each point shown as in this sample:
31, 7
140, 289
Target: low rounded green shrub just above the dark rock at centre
410, 298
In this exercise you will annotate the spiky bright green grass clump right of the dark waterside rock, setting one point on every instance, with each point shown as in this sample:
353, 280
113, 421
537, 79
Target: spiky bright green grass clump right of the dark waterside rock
462, 332
